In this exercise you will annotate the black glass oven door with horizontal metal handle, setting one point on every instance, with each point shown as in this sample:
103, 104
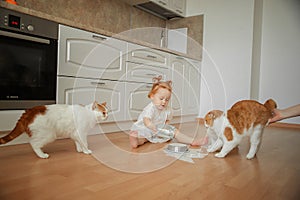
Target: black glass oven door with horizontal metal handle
27, 70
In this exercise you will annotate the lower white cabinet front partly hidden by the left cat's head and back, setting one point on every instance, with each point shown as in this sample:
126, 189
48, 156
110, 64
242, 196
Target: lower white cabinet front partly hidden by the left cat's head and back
85, 91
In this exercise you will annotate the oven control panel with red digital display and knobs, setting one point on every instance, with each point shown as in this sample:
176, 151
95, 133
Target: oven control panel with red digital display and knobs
23, 23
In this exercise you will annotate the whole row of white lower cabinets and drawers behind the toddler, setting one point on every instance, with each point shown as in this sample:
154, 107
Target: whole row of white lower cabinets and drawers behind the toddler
121, 74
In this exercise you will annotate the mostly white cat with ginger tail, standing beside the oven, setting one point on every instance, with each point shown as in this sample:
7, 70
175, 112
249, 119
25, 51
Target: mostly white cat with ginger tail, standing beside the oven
44, 124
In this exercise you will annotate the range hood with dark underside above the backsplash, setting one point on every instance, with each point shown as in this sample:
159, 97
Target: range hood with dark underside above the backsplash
162, 11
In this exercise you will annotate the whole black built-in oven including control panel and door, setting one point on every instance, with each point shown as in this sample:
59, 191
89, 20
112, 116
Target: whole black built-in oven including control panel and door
28, 60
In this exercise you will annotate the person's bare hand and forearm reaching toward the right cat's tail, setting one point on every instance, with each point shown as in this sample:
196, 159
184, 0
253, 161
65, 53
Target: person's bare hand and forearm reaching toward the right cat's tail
280, 114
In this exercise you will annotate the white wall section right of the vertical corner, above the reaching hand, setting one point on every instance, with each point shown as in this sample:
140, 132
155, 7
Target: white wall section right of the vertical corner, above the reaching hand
280, 53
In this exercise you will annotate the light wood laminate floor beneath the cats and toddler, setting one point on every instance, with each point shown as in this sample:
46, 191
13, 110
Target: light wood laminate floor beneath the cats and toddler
273, 174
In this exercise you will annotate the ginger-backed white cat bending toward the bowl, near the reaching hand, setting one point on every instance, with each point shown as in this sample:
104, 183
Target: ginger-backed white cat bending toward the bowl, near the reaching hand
244, 118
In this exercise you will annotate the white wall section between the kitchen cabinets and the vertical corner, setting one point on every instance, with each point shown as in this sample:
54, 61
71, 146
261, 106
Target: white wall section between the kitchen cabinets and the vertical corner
227, 42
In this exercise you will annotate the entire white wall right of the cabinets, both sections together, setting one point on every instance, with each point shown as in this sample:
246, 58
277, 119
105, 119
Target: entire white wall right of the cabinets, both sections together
228, 37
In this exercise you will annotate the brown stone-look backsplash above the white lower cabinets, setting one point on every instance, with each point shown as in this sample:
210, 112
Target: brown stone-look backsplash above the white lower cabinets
117, 17
